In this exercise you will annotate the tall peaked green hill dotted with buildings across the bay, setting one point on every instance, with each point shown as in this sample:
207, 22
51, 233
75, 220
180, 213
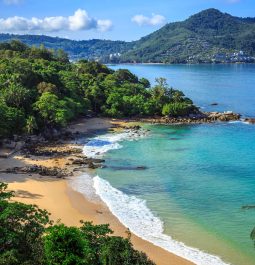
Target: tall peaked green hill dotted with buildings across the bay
206, 36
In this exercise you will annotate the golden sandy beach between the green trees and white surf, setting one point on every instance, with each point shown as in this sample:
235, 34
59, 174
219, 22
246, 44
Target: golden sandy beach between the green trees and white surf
64, 203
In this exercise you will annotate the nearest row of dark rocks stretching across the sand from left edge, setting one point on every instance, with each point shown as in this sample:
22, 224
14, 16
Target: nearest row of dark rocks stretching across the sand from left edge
41, 170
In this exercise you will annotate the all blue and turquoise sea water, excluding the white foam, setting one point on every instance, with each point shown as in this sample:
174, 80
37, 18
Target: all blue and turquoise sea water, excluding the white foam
197, 177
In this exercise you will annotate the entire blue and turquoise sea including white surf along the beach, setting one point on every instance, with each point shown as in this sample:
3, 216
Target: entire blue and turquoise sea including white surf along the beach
185, 187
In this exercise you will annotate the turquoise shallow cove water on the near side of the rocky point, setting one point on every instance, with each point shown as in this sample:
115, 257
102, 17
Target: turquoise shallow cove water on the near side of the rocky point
196, 185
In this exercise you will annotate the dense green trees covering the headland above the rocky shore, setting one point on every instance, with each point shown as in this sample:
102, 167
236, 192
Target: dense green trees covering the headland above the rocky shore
41, 89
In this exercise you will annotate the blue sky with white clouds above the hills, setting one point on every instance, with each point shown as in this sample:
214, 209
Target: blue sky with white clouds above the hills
106, 19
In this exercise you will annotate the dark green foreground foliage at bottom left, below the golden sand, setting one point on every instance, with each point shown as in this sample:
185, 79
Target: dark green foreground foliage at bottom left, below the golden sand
28, 237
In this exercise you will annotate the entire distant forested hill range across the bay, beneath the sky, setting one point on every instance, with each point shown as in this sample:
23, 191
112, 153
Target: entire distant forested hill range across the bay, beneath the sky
200, 38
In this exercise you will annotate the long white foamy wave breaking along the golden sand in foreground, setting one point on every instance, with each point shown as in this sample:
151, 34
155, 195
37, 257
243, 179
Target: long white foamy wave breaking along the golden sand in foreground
134, 214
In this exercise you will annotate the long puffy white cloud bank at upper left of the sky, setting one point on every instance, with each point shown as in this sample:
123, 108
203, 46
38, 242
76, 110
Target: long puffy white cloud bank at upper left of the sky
80, 20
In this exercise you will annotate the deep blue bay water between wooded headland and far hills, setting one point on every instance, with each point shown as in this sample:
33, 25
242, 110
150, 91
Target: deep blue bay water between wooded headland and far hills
232, 86
